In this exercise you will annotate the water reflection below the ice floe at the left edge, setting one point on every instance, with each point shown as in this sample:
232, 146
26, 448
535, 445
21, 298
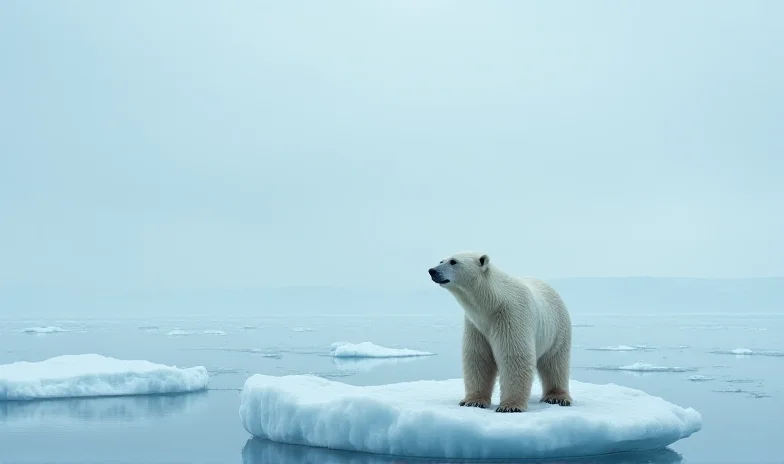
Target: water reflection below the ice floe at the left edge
101, 409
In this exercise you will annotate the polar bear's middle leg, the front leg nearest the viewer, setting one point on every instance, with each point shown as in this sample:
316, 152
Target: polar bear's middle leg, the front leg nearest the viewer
516, 365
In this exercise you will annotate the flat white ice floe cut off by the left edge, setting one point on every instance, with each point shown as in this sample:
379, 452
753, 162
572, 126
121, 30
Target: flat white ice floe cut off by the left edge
84, 375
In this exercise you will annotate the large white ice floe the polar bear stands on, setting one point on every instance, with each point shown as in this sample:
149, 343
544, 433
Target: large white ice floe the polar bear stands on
422, 419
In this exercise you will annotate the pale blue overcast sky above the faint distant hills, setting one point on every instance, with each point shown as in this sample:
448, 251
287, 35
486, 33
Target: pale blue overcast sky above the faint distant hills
184, 145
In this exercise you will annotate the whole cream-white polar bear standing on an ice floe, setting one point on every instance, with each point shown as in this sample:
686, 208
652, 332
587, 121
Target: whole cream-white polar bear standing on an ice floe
512, 325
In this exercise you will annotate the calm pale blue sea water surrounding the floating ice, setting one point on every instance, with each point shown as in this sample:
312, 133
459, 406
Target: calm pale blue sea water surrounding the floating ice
740, 397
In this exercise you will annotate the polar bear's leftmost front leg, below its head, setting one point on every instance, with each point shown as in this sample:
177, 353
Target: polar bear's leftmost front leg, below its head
479, 368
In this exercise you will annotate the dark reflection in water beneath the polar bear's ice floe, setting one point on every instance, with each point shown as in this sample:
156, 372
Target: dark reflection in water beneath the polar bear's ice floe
258, 451
